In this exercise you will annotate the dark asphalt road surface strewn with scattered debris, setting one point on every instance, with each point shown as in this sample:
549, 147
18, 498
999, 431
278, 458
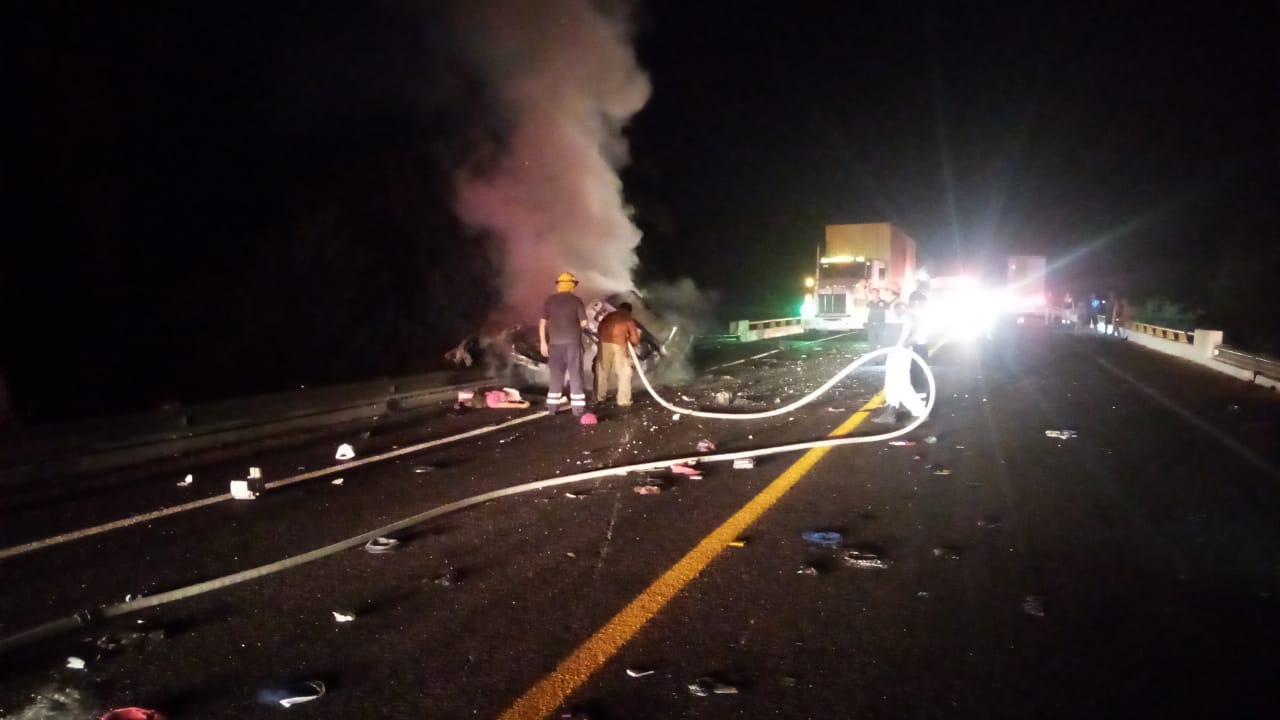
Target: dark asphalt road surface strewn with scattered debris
1131, 571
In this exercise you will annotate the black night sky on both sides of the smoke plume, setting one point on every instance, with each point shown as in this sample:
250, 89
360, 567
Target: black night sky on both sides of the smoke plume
207, 200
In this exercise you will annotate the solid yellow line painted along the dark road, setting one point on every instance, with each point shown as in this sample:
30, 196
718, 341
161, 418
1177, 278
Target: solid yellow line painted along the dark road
551, 692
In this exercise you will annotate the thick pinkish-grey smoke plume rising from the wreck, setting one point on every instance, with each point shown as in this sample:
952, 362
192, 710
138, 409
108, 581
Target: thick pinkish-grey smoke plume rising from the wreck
566, 80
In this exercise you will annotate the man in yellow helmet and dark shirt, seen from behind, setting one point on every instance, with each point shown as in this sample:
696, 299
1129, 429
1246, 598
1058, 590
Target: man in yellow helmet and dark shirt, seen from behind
561, 335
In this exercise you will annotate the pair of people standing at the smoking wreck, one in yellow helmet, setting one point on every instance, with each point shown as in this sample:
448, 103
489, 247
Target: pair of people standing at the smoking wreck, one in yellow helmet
560, 334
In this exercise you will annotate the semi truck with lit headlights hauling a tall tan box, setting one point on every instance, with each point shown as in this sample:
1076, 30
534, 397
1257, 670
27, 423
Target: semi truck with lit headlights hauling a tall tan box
854, 259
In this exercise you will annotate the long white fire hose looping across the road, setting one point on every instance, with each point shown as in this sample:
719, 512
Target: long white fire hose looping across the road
85, 617
